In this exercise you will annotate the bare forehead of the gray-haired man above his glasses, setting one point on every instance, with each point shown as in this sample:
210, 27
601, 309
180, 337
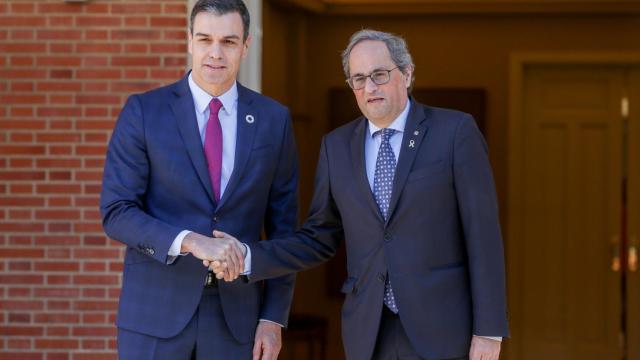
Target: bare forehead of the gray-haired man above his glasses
369, 55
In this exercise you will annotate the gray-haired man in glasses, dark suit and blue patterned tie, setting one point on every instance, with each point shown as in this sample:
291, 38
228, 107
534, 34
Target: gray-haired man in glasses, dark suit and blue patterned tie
409, 189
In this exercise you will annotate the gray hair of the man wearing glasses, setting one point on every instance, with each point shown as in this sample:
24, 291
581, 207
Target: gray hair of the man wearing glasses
395, 44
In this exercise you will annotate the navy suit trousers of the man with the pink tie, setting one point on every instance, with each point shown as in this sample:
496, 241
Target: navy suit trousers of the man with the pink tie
206, 337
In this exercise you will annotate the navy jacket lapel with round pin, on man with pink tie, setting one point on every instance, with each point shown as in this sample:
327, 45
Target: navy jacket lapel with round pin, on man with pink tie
248, 119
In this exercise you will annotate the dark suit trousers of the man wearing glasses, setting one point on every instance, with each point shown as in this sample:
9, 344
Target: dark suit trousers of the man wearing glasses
392, 342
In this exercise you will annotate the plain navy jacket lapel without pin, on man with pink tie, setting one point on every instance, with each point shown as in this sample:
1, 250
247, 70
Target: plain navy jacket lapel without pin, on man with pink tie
184, 113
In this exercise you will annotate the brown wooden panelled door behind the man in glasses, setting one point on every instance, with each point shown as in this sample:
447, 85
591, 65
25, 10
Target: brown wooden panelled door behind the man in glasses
567, 293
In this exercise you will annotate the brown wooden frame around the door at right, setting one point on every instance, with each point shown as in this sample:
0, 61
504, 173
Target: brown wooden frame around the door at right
514, 216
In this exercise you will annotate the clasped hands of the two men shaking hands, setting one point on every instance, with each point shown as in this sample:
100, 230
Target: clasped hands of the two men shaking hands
223, 254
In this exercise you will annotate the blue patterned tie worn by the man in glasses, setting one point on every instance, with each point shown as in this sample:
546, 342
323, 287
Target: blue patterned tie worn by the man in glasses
382, 186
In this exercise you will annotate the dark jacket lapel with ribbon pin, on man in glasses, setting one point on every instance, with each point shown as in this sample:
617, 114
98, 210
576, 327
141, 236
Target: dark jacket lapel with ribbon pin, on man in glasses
414, 131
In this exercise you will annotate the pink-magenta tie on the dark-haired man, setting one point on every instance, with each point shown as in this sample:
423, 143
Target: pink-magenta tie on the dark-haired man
213, 146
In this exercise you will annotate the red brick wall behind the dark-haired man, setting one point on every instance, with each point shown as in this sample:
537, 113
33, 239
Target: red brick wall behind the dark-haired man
65, 71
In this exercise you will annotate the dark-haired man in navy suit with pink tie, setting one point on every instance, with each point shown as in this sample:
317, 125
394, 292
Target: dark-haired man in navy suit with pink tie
201, 154
